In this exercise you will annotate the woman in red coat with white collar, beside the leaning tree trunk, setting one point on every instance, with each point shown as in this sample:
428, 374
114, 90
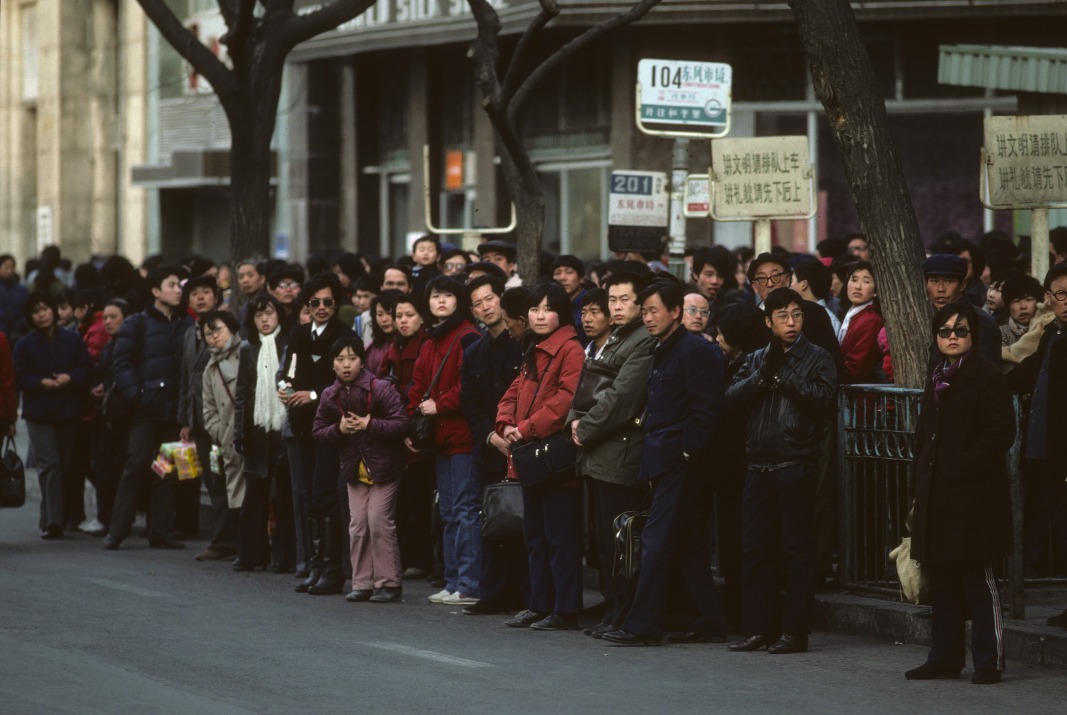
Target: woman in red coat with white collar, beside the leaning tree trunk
859, 331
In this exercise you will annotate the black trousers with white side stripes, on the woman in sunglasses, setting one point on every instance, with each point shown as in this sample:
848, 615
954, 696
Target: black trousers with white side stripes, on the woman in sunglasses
960, 591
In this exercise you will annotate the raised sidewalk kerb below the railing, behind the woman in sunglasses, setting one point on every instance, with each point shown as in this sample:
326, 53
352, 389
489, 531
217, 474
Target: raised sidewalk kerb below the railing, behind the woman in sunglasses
1029, 641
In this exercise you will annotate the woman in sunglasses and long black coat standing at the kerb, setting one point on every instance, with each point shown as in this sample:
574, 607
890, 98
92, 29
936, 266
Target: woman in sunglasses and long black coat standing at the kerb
963, 509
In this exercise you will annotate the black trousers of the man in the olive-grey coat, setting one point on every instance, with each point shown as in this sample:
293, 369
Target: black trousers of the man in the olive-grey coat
608, 502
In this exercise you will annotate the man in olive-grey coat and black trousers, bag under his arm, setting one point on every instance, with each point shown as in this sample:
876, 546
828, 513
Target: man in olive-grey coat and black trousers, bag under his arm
610, 434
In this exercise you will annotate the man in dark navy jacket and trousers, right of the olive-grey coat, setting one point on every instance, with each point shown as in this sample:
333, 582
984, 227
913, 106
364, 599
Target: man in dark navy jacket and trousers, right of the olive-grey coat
684, 409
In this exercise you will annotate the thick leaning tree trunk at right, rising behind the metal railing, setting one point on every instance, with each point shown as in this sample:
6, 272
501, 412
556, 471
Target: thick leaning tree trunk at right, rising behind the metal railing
846, 83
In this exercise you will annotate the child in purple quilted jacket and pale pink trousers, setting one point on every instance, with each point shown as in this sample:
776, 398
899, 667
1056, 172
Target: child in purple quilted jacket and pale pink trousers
368, 418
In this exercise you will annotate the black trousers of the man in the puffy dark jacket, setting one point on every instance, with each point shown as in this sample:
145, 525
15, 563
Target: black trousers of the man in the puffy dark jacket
138, 479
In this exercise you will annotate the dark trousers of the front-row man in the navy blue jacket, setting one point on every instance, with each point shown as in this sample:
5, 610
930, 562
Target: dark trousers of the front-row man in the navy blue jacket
676, 533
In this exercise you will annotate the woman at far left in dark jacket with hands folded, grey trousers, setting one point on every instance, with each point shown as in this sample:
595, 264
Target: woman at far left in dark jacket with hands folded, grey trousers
52, 371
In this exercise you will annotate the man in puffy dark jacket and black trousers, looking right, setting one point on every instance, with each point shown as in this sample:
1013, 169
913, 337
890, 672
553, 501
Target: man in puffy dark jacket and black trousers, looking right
148, 368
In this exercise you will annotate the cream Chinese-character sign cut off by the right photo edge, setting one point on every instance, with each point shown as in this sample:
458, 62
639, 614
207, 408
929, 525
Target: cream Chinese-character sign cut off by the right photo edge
1027, 161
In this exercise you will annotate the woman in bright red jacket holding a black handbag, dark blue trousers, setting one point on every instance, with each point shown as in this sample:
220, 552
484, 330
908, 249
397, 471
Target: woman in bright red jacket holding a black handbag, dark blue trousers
535, 408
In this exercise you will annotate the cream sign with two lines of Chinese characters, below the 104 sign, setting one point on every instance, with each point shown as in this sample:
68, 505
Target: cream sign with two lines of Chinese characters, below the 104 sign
762, 178
